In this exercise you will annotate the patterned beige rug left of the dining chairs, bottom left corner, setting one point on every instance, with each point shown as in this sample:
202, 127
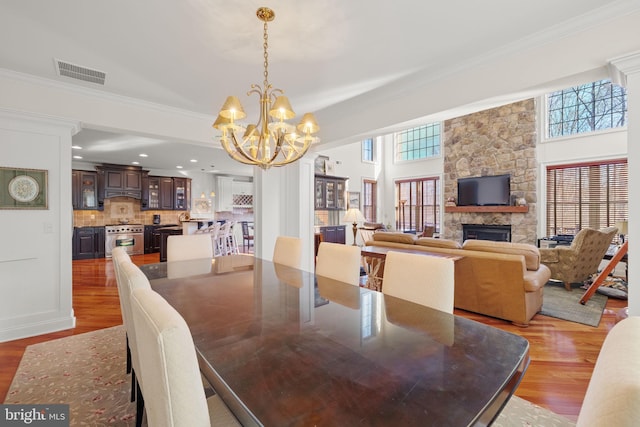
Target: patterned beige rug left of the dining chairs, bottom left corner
86, 371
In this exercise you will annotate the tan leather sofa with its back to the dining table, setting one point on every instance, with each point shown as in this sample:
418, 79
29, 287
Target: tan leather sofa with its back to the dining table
497, 279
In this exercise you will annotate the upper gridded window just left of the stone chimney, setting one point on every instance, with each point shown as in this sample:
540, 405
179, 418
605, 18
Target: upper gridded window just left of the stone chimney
418, 143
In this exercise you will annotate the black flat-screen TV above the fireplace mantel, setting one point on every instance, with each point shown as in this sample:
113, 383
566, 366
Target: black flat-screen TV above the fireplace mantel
485, 191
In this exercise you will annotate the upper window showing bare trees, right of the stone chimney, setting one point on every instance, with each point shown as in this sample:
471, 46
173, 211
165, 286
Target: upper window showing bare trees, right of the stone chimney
586, 108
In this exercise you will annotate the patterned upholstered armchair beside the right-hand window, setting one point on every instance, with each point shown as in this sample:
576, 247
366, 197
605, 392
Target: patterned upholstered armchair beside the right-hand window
575, 263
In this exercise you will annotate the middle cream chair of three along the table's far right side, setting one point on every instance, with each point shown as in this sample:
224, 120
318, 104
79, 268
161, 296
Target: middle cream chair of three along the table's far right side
339, 262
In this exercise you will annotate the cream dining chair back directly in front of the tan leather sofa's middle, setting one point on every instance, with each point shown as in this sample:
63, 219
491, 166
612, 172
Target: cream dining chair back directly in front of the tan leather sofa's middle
423, 279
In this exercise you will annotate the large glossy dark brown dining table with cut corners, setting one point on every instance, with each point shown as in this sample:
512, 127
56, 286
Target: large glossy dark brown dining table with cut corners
285, 347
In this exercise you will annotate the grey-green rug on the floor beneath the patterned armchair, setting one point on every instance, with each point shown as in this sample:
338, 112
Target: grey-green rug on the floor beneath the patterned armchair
559, 303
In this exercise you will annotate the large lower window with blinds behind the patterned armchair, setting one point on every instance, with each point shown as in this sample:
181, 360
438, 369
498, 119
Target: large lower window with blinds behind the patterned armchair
593, 195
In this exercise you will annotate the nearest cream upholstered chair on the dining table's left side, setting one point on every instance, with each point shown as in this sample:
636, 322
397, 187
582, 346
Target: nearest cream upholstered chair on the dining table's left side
170, 375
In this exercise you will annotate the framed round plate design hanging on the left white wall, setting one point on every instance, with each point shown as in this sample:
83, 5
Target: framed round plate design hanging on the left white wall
23, 188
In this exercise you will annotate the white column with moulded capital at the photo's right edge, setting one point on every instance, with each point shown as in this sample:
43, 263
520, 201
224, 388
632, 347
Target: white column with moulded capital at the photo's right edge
626, 71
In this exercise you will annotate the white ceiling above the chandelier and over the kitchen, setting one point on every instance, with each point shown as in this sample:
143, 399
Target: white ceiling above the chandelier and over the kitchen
360, 65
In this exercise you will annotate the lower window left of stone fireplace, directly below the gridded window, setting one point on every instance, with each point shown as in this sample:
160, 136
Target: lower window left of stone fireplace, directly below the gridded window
418, 204
